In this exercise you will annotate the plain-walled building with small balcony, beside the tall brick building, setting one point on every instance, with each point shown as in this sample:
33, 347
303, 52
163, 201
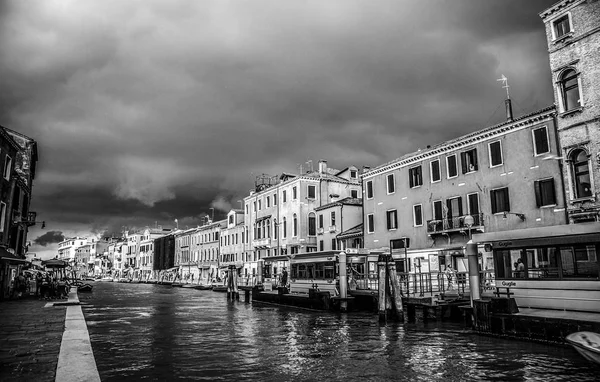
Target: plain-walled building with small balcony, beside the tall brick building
496, 179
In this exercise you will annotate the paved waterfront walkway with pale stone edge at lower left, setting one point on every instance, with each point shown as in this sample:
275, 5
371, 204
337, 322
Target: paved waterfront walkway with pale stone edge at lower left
45, 341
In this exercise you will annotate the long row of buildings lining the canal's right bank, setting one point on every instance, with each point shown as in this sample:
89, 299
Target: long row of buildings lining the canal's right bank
527, 188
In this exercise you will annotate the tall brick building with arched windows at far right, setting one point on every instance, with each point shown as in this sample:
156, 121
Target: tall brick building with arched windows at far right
573, 36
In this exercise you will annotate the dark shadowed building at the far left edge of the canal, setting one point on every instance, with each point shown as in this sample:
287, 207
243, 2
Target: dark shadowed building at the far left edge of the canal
18, 161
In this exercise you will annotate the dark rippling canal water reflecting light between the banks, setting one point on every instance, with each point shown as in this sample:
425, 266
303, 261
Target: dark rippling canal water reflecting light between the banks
160, 333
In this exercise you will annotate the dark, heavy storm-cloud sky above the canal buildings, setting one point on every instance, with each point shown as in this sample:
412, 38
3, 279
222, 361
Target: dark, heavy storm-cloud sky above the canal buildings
147, 111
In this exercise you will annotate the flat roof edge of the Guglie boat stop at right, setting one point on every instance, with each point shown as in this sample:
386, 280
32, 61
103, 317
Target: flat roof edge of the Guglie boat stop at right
540, 236
